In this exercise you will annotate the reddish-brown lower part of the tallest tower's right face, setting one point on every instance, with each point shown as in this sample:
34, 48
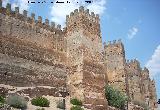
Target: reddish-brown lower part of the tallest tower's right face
94, 89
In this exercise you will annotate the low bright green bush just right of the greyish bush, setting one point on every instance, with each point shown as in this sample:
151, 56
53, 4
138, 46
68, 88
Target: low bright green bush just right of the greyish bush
40, 101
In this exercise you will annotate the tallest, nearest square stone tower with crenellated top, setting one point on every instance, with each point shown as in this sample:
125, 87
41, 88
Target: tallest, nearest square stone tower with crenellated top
86, 78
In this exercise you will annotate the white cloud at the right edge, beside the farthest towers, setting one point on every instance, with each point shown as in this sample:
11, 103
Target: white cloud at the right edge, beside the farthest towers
154, 63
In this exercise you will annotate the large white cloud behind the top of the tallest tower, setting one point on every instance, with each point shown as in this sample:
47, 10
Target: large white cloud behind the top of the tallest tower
59, 11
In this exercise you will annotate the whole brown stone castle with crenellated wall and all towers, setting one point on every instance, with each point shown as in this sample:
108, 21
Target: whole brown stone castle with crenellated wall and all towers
39, 58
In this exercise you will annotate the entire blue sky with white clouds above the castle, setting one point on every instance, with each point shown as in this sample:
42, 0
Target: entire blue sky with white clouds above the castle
136, 22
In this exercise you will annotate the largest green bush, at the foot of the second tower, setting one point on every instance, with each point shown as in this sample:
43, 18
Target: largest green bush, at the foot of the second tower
115, 98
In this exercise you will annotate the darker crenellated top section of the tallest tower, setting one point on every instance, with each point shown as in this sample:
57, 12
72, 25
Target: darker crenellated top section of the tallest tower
86, 22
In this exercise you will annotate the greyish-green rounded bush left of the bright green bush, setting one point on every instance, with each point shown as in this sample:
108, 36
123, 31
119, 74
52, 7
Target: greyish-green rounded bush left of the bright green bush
17, 101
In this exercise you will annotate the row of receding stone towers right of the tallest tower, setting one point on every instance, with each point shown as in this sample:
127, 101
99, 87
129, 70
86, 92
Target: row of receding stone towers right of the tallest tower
128, 76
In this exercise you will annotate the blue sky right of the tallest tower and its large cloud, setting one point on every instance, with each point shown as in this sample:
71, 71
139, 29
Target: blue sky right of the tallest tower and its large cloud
123, 17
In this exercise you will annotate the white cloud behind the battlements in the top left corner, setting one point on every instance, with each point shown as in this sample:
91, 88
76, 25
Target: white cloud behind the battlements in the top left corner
22, 4
